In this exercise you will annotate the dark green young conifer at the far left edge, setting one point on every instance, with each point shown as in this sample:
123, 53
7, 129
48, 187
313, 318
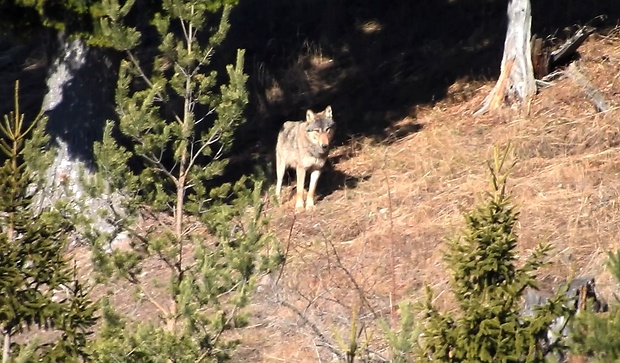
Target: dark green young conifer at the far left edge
38, 284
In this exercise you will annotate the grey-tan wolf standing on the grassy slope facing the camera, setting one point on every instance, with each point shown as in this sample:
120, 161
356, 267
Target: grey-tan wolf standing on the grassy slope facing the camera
304, 145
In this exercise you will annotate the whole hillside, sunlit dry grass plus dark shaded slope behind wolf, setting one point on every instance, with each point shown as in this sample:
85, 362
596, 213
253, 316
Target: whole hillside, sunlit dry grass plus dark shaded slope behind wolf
409, 160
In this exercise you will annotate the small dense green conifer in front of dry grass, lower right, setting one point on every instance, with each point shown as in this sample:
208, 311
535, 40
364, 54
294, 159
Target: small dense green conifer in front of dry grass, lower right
488, 286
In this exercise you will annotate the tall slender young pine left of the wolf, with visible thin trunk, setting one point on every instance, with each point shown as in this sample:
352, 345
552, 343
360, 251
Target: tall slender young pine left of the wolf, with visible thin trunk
177, 127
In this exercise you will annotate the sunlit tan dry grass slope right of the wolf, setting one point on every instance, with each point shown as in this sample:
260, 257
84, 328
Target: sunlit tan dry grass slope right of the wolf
368, 246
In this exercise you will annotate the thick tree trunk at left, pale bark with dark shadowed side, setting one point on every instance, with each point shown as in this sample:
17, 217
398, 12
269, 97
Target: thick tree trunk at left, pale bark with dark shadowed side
81, 87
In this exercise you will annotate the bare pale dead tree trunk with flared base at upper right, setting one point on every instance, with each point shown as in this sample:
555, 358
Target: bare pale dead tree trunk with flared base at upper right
516, 81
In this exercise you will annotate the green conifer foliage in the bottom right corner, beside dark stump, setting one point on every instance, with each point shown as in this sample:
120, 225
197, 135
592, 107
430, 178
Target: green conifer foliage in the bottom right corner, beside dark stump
596, 335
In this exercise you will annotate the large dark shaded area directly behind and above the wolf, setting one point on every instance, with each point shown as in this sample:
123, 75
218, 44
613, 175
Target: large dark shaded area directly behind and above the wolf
373, 61
